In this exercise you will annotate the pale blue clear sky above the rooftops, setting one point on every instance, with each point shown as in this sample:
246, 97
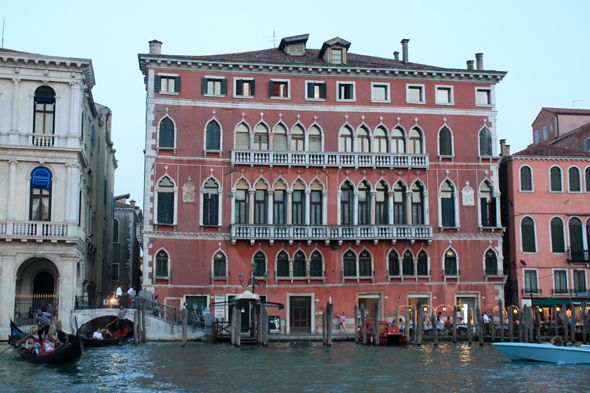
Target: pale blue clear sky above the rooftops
543, 45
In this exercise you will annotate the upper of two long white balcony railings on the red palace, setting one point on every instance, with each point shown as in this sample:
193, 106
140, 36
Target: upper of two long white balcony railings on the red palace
328, 159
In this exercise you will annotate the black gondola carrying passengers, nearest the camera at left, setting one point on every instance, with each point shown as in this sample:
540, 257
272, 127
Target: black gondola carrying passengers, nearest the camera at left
69, 352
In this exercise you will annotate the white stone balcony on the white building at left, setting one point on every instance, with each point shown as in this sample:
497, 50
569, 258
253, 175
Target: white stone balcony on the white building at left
39, 231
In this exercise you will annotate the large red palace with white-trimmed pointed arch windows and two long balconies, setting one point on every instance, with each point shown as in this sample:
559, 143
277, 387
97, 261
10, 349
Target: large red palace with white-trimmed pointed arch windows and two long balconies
340, 176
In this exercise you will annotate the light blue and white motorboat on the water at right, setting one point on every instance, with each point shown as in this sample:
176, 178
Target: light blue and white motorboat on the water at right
544, 352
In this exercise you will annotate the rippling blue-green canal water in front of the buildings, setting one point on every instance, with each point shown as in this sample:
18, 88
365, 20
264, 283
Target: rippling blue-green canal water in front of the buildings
292, 367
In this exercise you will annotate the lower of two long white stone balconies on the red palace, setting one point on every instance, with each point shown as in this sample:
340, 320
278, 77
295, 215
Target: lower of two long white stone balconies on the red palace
327, 233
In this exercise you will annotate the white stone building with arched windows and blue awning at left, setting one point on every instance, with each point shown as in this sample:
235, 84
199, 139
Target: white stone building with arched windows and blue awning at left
57, 174
